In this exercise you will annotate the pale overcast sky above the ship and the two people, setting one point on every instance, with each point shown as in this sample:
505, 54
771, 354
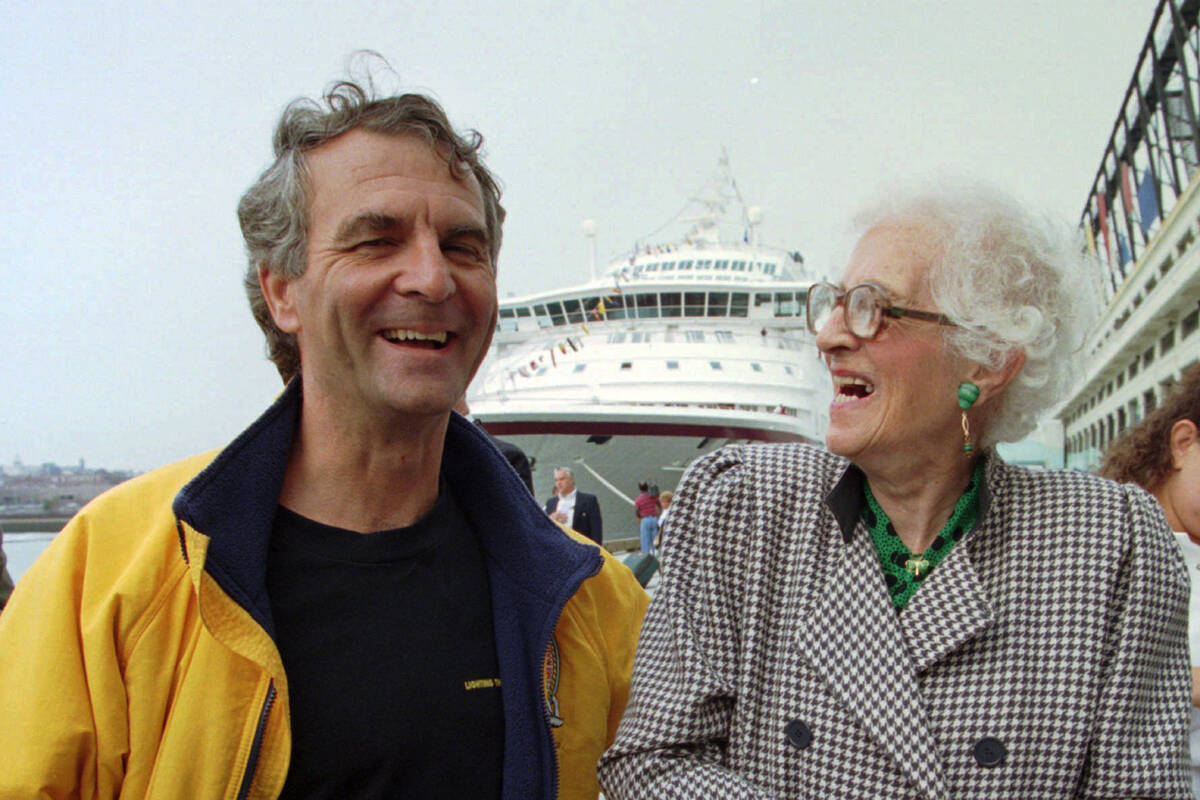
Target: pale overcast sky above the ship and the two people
130, 133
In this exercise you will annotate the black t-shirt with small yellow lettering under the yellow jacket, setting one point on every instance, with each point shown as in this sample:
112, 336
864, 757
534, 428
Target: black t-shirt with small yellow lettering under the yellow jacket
388, 646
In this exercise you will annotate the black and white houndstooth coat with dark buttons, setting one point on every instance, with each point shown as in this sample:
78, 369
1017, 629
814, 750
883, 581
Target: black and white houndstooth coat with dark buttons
1045, 658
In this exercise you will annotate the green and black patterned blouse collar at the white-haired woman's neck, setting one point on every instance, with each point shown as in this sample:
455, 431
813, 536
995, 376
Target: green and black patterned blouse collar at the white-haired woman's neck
903, 570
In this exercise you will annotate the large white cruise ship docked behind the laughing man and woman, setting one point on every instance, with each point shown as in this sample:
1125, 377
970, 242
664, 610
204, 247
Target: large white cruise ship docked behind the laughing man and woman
677, 348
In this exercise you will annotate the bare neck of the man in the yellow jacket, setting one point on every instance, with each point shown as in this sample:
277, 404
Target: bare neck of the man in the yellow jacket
364, 476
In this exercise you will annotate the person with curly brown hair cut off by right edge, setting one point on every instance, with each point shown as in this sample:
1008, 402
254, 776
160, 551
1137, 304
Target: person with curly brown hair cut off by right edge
1162, 455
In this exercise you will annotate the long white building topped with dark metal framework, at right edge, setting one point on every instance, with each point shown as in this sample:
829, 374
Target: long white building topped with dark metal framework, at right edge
1142, 219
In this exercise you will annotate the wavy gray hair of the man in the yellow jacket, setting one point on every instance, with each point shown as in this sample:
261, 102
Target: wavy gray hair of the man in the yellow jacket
274, 213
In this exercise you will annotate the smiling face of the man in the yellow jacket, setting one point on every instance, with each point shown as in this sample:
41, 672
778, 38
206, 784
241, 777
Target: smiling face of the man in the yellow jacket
398, 304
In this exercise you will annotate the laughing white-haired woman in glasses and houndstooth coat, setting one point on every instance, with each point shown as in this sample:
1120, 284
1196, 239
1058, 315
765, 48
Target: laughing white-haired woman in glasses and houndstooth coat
908, 616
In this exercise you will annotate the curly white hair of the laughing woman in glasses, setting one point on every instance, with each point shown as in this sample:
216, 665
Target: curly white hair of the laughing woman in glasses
1011, 281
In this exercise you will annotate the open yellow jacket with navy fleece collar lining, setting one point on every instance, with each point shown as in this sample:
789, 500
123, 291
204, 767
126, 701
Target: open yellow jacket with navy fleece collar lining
136, 659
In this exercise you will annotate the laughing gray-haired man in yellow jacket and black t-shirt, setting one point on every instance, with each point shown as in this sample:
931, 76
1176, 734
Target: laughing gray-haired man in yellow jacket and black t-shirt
357, 597
